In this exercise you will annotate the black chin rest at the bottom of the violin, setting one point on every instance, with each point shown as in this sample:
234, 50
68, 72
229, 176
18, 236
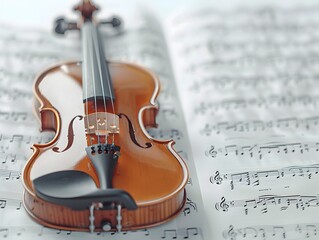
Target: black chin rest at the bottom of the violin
77, 190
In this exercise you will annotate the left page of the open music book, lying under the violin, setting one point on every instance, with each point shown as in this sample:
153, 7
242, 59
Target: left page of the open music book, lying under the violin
25, 52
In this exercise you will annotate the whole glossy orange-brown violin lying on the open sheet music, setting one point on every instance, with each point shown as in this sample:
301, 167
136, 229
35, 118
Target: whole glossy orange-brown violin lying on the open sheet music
101, 171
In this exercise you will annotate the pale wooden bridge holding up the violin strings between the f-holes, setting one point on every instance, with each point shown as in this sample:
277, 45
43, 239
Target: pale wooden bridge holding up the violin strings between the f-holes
102, 123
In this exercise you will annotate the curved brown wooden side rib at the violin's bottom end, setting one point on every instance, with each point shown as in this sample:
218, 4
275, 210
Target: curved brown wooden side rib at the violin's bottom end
69, 219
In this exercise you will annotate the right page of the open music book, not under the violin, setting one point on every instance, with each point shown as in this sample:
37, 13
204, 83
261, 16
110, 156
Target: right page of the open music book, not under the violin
247, 79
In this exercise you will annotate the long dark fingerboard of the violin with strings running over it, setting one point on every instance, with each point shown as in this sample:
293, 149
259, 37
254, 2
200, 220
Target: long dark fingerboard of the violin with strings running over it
96, 81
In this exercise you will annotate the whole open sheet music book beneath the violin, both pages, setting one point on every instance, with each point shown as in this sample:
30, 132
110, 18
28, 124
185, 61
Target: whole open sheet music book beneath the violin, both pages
238, 95
